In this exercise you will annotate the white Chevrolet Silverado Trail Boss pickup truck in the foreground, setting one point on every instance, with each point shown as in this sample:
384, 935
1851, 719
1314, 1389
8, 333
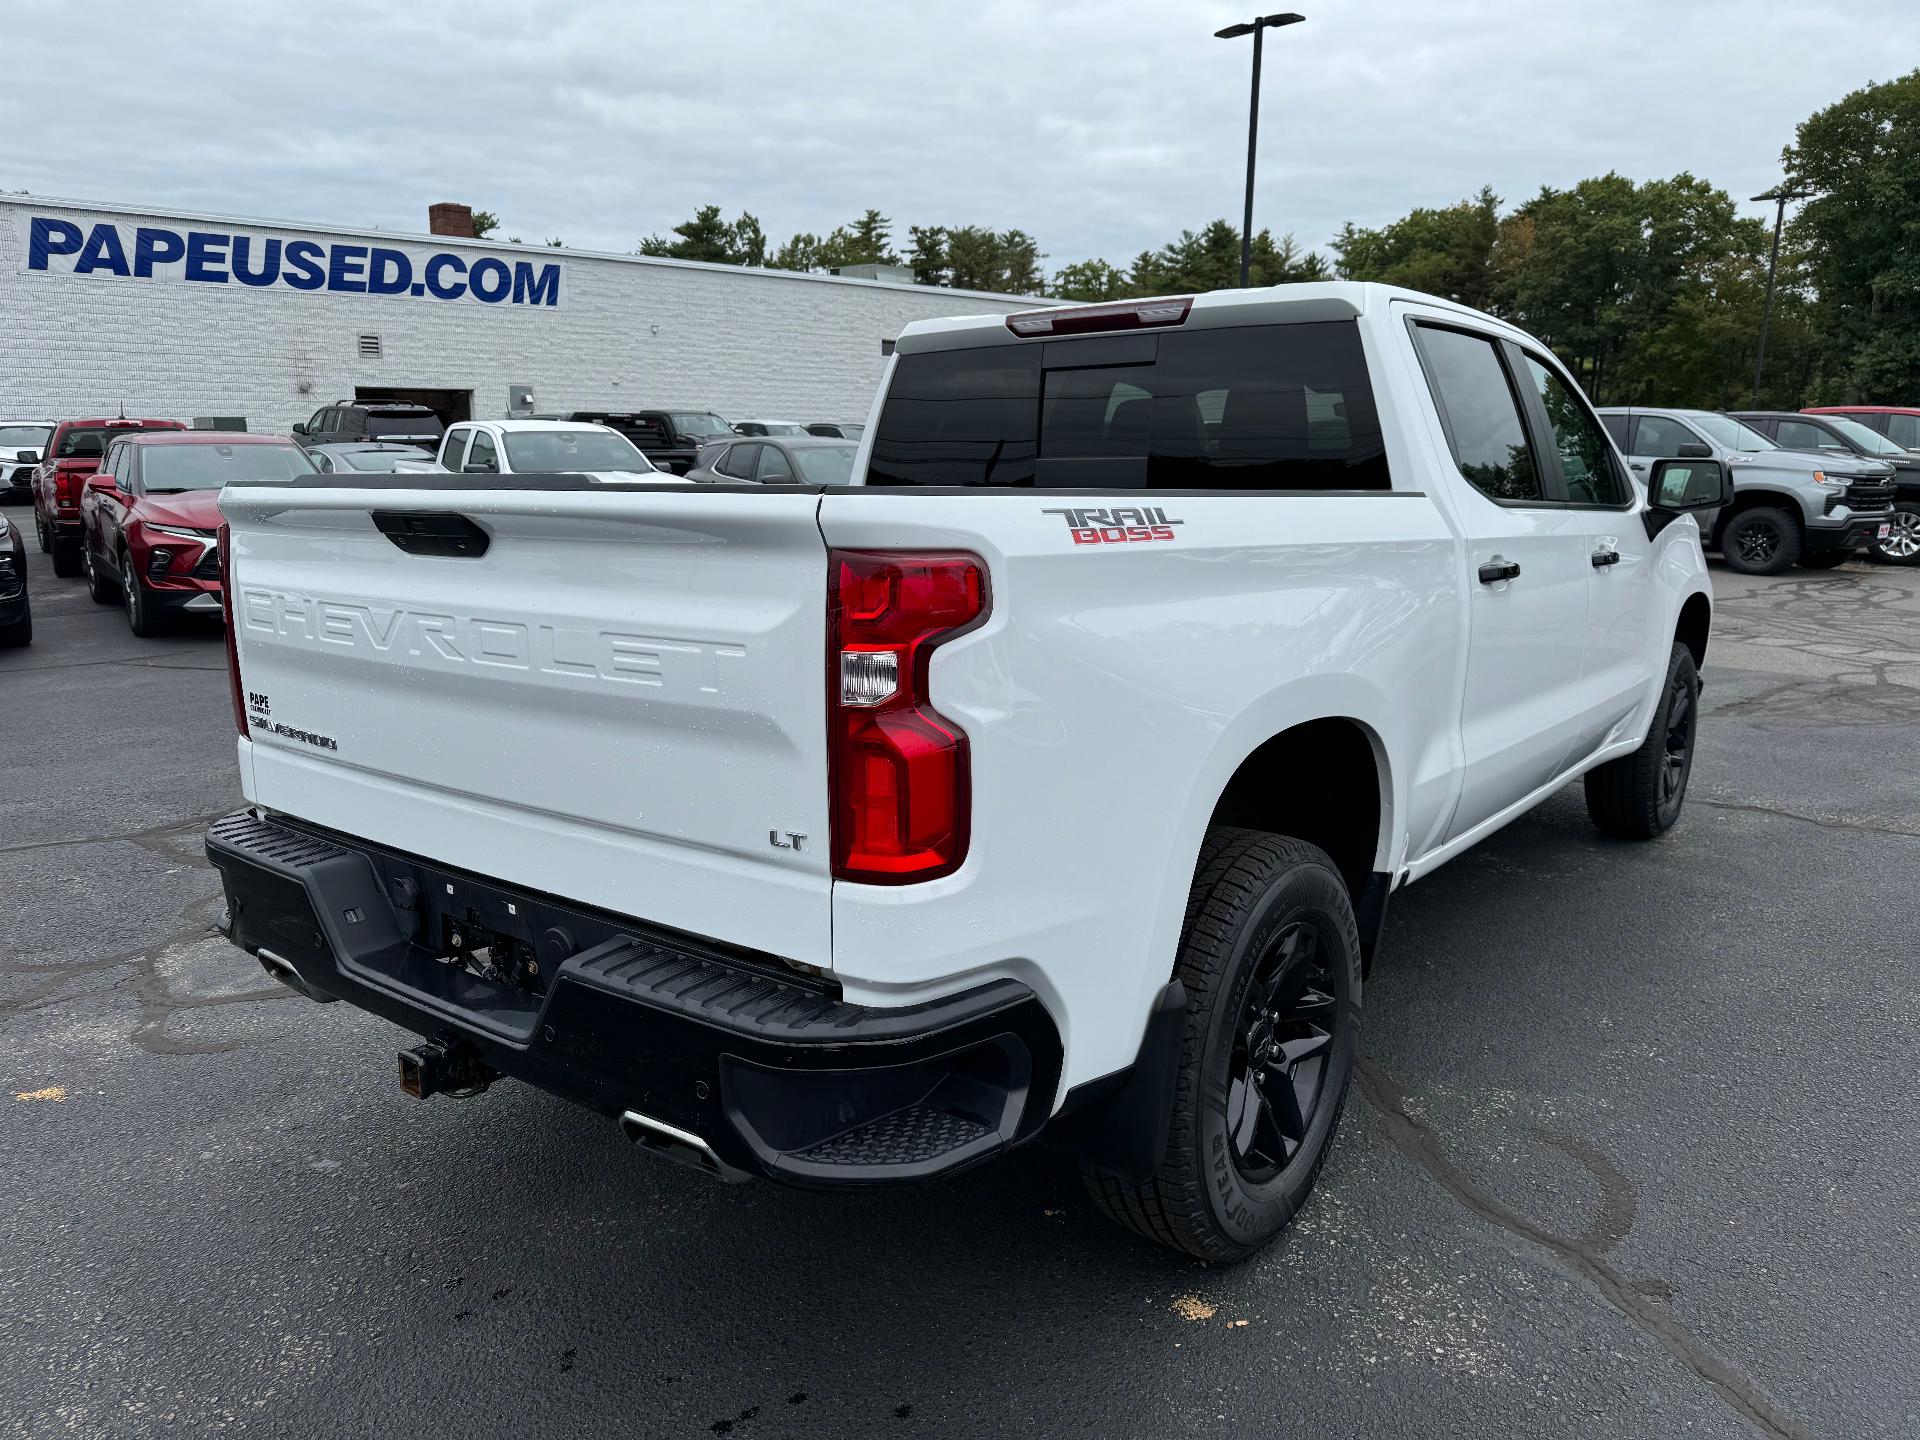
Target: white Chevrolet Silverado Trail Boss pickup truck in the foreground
1053, 780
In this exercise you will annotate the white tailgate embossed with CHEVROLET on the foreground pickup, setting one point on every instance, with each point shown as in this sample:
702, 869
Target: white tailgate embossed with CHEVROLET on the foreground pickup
621, 702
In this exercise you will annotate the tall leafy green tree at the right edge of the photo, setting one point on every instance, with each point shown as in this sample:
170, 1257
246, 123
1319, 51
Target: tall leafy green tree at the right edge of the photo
1861, 237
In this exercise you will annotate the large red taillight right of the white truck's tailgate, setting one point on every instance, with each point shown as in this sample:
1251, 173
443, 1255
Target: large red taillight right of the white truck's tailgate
900, 771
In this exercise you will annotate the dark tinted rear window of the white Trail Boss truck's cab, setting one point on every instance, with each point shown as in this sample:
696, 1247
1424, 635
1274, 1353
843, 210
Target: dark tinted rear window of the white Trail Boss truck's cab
1245, 408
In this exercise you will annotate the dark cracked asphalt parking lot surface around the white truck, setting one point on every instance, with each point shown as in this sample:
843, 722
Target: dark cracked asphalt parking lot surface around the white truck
1635, 1149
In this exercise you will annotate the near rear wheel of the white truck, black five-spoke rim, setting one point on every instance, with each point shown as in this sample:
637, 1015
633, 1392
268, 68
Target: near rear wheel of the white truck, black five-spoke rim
1270, 957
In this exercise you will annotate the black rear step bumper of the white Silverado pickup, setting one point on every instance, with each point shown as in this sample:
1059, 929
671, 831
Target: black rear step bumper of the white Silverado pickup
690, 1045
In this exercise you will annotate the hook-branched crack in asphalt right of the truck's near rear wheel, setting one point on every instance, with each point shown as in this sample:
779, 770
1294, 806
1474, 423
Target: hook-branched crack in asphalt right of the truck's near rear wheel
1581, 1259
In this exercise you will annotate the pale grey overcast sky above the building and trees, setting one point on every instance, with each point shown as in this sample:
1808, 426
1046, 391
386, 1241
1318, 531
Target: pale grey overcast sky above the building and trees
1099, 128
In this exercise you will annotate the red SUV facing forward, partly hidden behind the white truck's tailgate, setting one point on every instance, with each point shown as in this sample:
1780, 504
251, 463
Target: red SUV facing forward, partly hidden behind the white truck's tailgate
153, 517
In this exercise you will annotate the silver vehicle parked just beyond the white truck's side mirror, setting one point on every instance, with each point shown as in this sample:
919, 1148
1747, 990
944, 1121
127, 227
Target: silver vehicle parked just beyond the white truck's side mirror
1788, 506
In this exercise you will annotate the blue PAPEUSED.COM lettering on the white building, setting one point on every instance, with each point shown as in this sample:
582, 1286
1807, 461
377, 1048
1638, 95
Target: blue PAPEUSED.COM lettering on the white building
156, 252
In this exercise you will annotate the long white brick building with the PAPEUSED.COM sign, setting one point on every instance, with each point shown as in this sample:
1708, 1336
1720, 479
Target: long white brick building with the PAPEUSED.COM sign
183, 316
